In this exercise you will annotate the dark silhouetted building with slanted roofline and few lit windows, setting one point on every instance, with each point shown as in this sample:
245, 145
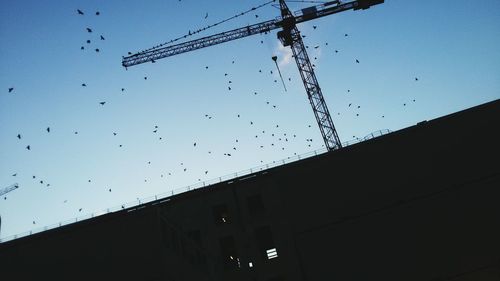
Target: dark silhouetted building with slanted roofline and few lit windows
422, 203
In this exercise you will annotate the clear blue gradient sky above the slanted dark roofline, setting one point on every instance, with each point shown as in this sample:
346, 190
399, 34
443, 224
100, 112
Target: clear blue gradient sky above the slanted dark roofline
452, 47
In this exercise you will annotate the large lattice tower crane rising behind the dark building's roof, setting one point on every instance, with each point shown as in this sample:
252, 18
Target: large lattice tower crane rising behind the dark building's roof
289, 35
